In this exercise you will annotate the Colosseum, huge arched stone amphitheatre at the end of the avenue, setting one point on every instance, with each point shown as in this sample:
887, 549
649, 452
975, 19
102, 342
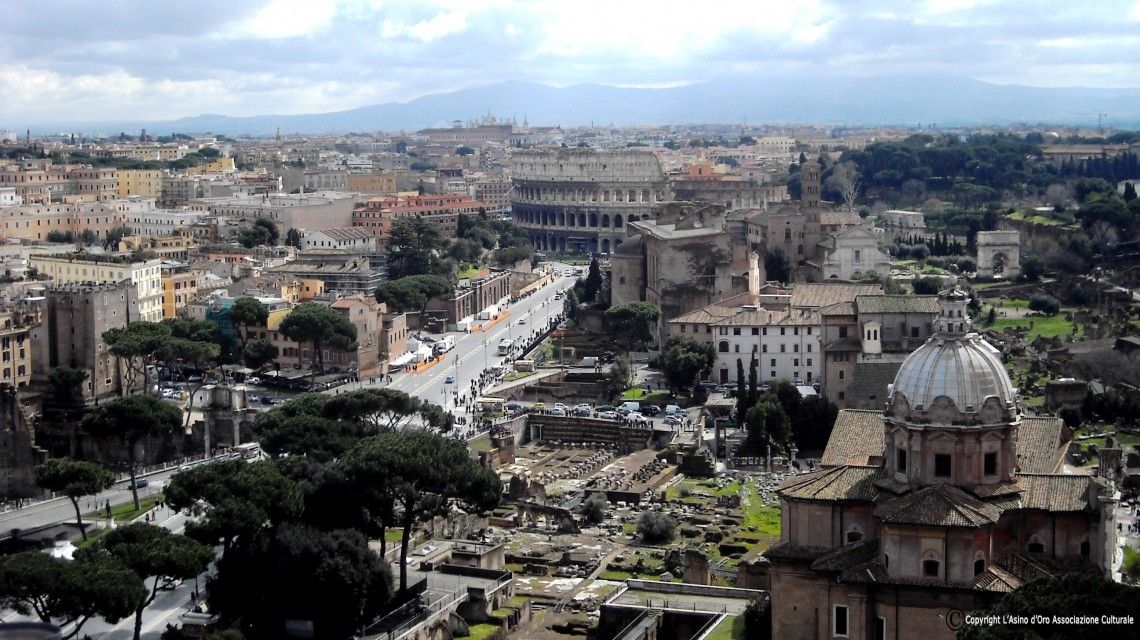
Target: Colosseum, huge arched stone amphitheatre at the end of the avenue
579, 201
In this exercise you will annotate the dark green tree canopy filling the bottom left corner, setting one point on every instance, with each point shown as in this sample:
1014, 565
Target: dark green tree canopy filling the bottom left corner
66, 593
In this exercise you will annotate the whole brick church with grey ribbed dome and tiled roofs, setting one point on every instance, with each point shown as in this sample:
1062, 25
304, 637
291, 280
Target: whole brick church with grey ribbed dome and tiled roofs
938, 506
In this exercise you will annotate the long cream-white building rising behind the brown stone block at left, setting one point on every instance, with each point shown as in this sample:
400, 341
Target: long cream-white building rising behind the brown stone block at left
83, 269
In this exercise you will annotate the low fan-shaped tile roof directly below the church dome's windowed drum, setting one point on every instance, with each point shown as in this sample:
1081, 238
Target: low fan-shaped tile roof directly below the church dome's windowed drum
941, 506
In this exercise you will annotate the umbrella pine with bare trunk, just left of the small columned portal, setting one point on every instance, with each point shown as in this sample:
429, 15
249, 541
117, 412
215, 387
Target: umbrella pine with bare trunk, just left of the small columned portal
131, 420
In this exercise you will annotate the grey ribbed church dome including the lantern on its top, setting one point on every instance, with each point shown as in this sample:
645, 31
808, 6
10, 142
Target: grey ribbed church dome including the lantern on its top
956, 371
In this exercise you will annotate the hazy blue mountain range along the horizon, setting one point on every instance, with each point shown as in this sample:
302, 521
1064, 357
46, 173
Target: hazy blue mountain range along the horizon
902, 101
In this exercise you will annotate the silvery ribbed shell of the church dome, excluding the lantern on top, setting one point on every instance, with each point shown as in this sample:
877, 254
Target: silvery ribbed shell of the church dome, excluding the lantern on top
965, 369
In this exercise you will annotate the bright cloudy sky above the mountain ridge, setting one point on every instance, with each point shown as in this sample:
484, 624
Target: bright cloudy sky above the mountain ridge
75, 61
